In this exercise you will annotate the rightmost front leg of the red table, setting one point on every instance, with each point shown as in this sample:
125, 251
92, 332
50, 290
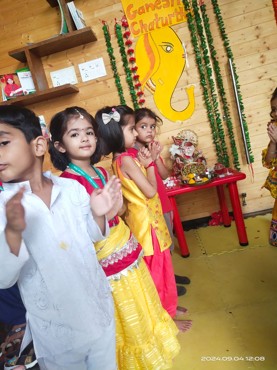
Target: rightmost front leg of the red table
238, 216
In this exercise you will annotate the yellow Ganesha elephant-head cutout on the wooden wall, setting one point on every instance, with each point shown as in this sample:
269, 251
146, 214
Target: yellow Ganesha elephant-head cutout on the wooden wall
161, 62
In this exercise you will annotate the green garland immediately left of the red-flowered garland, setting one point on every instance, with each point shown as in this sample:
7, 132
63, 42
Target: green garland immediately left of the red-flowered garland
129, 78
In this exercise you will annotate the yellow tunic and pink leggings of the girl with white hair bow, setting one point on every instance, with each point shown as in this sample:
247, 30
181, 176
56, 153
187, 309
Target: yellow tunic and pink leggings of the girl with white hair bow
146, 221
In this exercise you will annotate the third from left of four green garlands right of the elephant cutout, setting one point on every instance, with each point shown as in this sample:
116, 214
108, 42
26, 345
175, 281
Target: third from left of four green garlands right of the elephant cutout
220, 86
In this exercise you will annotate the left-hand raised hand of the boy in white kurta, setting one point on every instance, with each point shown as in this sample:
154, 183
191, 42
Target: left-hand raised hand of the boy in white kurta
15, 213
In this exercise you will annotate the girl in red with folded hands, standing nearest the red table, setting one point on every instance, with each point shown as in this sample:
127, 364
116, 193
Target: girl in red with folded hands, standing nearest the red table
146, 125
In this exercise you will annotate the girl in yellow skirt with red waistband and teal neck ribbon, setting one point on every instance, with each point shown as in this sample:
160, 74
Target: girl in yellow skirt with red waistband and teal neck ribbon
145, 333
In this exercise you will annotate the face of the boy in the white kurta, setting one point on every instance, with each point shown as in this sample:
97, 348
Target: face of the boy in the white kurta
17, 157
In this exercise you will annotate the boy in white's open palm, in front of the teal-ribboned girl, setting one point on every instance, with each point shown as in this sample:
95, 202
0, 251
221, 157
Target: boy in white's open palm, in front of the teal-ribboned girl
103, 200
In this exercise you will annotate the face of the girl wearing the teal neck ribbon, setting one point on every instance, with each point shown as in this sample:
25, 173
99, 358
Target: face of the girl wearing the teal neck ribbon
79, 140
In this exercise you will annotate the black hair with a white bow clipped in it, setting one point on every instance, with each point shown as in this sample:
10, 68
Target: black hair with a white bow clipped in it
111, 134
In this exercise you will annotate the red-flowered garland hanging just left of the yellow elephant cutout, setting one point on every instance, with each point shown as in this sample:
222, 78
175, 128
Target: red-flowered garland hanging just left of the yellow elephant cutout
132, 60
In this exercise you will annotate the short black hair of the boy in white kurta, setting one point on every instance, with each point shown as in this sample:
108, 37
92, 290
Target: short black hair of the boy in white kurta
21, 118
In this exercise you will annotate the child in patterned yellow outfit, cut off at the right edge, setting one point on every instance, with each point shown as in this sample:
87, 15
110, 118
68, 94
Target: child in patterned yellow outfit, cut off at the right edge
269, 160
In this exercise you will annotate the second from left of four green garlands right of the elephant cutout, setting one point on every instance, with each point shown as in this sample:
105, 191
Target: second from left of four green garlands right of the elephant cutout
211, 84
